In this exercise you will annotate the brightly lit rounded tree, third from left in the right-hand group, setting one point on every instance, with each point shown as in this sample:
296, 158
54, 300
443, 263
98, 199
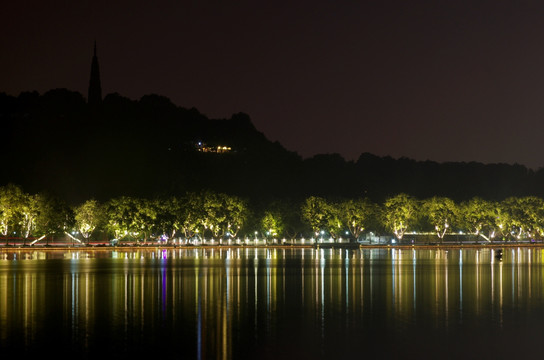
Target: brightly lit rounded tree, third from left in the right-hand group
399, 213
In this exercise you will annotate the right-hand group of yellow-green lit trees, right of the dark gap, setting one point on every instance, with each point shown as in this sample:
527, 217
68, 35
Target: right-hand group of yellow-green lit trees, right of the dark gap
511, 219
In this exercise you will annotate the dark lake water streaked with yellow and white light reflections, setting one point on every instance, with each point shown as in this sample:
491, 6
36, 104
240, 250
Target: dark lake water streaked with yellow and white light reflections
273, 303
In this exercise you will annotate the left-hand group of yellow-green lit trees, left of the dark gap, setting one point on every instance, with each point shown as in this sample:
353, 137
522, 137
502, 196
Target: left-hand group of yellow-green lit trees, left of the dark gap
194, 215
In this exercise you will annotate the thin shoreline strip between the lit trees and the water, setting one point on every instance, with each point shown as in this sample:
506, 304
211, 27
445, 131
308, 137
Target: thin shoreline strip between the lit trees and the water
215, 247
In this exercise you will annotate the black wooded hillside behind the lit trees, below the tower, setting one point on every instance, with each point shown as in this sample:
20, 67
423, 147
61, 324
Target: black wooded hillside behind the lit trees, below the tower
148, 148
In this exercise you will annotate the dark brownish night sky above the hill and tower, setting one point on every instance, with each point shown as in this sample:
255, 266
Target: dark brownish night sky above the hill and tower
441, 80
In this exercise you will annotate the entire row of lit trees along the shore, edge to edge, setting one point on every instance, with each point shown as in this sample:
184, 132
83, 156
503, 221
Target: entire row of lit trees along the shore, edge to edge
215, 216
